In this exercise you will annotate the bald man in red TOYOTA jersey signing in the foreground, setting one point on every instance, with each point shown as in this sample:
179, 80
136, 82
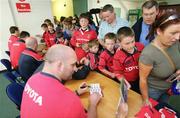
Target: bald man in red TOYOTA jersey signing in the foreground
45, 96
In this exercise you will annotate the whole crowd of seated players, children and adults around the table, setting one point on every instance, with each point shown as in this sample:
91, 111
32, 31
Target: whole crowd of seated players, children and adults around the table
144, 56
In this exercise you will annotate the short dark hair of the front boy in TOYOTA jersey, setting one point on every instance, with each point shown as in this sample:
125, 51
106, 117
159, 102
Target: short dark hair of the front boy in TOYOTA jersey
124, 32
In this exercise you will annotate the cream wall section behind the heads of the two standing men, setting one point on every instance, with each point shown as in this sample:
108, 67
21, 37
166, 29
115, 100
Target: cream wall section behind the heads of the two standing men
124, 5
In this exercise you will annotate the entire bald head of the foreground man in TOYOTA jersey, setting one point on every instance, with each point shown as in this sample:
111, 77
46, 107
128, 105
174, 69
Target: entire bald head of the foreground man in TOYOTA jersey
60, 61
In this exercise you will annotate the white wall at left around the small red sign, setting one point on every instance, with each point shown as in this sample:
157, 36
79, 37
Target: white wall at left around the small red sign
30, 21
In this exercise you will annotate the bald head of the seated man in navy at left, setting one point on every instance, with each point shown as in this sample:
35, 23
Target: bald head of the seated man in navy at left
31, 42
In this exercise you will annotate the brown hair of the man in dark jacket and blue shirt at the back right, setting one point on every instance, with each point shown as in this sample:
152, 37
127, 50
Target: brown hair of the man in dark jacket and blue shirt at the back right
150, 3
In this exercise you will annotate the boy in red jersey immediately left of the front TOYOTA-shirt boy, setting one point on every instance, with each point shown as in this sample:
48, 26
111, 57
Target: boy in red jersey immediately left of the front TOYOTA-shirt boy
106, 57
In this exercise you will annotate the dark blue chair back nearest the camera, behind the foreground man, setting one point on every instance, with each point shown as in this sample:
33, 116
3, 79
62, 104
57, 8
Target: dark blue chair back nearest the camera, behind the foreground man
14, 91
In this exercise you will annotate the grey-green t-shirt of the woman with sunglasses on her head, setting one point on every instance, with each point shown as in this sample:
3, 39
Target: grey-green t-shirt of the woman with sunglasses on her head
162, 68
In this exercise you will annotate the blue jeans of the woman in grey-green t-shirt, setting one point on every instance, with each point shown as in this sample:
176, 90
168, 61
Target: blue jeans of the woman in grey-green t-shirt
159, 95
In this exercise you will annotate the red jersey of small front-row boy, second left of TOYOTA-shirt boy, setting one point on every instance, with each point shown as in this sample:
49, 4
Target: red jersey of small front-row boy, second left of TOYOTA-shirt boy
94, 59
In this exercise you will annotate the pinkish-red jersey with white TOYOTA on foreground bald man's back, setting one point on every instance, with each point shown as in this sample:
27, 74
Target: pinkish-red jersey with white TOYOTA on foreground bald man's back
44, 96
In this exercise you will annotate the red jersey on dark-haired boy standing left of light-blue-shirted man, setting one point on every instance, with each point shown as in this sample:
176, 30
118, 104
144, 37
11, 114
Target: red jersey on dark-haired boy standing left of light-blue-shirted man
82, 36
